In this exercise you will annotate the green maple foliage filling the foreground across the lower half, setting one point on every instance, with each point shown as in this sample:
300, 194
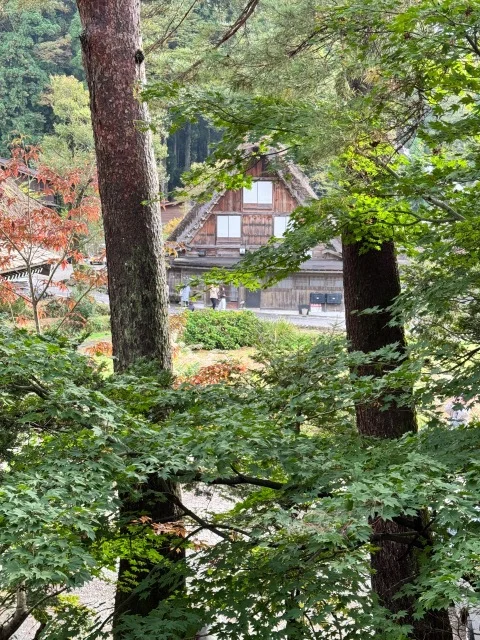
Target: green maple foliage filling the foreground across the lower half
292, 545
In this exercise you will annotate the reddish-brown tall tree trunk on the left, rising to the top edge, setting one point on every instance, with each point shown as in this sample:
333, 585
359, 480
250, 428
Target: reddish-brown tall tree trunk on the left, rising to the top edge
128, 186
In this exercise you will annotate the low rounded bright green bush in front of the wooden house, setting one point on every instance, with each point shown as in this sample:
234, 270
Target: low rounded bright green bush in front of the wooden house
222, 329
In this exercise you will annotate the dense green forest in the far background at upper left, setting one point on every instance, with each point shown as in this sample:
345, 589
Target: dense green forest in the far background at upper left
40, 49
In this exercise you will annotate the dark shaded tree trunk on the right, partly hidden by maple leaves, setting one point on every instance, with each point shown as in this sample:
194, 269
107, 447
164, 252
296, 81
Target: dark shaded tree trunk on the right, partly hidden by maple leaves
371, 279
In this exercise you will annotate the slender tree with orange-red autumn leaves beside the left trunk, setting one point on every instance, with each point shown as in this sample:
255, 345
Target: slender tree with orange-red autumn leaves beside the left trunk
39, 238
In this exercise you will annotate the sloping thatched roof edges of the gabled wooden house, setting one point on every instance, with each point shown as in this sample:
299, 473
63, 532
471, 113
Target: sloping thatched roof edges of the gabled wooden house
295, 181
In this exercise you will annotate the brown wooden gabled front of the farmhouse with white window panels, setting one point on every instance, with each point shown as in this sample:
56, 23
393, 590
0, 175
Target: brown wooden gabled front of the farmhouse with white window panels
220, 232
